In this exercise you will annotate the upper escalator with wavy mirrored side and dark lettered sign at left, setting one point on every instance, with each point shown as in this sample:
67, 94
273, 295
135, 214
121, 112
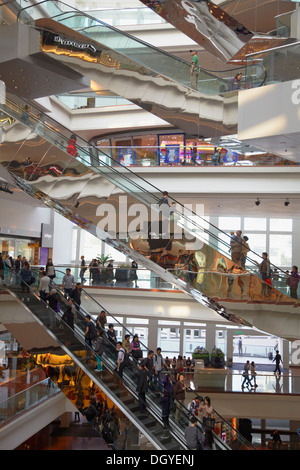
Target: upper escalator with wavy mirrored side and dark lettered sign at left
155, 81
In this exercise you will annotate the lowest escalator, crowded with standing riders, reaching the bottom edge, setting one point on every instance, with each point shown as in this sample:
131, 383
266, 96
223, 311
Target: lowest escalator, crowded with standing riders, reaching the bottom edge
121, 391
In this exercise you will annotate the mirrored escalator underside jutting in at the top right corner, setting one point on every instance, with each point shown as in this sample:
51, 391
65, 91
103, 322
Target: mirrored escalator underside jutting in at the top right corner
214, 28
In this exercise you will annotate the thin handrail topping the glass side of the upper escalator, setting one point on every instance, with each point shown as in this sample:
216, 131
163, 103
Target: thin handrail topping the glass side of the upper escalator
161, 51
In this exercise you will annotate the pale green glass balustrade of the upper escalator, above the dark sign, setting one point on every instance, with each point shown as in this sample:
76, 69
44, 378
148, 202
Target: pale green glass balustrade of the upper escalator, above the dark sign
138, 51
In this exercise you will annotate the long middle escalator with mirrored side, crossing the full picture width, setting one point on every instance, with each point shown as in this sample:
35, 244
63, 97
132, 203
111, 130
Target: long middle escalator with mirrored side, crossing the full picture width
85, 189
